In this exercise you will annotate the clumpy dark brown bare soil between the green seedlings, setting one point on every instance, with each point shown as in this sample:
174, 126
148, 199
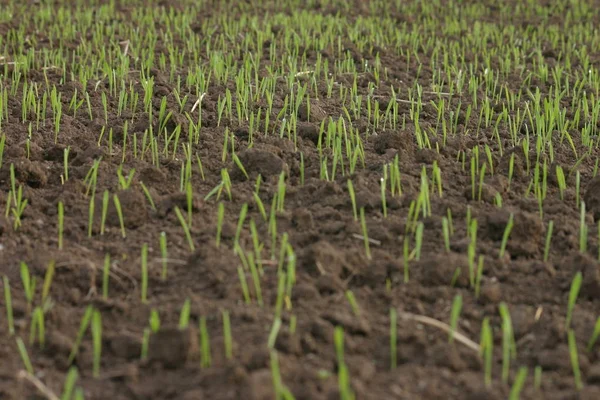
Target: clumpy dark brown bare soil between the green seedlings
330, 254
